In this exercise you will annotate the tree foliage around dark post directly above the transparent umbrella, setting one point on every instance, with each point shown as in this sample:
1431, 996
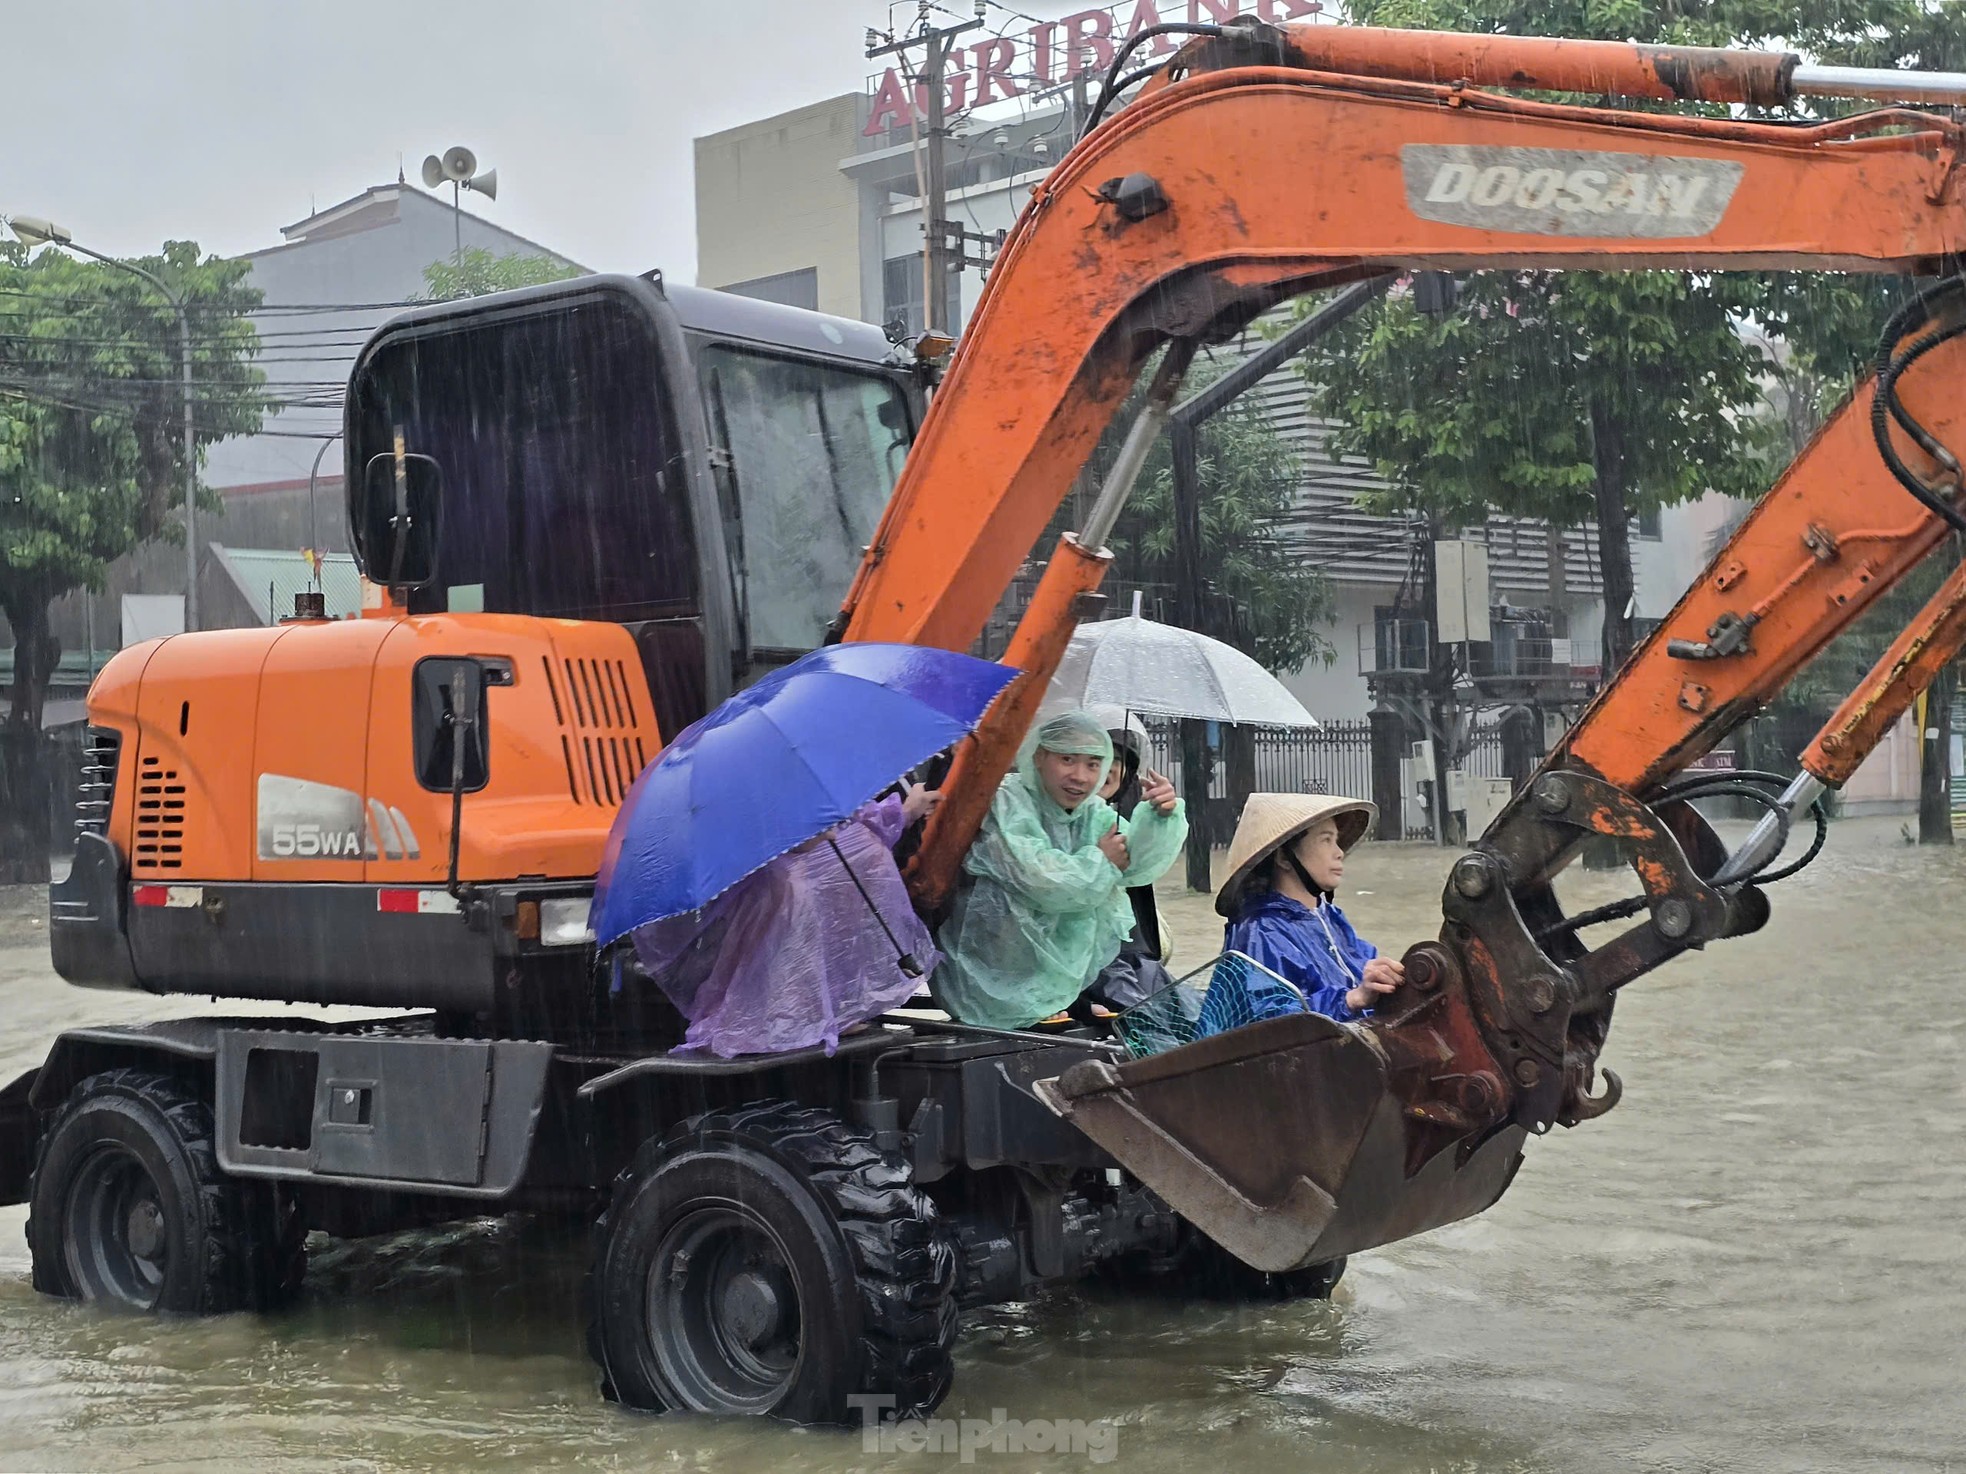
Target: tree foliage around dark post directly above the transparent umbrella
1259, 593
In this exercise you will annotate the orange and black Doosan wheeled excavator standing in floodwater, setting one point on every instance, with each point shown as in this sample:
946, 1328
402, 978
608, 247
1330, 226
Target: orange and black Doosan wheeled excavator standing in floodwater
587, 512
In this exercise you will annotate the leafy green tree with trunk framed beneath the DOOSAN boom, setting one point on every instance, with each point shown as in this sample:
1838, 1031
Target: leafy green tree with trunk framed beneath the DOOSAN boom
1570, 396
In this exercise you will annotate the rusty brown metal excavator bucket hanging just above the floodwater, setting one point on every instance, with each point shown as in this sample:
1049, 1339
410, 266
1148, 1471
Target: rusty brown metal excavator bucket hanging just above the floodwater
1283, 1141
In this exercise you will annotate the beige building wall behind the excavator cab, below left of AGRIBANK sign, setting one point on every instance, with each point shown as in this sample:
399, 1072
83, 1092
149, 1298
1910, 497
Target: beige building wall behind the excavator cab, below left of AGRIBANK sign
772, 199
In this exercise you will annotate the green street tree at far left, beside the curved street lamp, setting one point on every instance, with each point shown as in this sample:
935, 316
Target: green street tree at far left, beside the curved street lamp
91, 453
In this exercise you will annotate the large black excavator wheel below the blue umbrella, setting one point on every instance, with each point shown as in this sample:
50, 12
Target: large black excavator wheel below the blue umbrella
772, 1261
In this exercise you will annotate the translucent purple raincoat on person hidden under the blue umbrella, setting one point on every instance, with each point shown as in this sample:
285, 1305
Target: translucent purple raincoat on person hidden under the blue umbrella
791, 956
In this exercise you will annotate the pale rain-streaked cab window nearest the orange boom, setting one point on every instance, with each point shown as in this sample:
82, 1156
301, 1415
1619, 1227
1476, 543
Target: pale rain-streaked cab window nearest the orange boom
807, 457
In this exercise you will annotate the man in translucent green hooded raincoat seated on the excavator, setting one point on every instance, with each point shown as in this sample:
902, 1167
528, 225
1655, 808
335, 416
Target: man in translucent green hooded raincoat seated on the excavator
1043, 905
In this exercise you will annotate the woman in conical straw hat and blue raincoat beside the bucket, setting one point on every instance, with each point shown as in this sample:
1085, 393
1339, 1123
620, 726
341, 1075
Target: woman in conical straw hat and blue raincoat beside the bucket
1285, 870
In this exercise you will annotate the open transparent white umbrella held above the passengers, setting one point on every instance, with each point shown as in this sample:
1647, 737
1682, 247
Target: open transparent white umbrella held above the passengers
1155, 669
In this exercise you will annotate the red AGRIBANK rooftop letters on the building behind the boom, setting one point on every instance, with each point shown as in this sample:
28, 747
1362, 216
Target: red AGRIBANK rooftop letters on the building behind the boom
1059, 50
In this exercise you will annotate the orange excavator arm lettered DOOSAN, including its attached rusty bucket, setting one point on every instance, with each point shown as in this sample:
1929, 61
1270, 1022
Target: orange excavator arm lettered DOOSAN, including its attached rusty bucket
1269, 162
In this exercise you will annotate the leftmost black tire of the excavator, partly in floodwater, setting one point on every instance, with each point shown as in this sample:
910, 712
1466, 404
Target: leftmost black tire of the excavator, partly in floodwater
129, 1208
